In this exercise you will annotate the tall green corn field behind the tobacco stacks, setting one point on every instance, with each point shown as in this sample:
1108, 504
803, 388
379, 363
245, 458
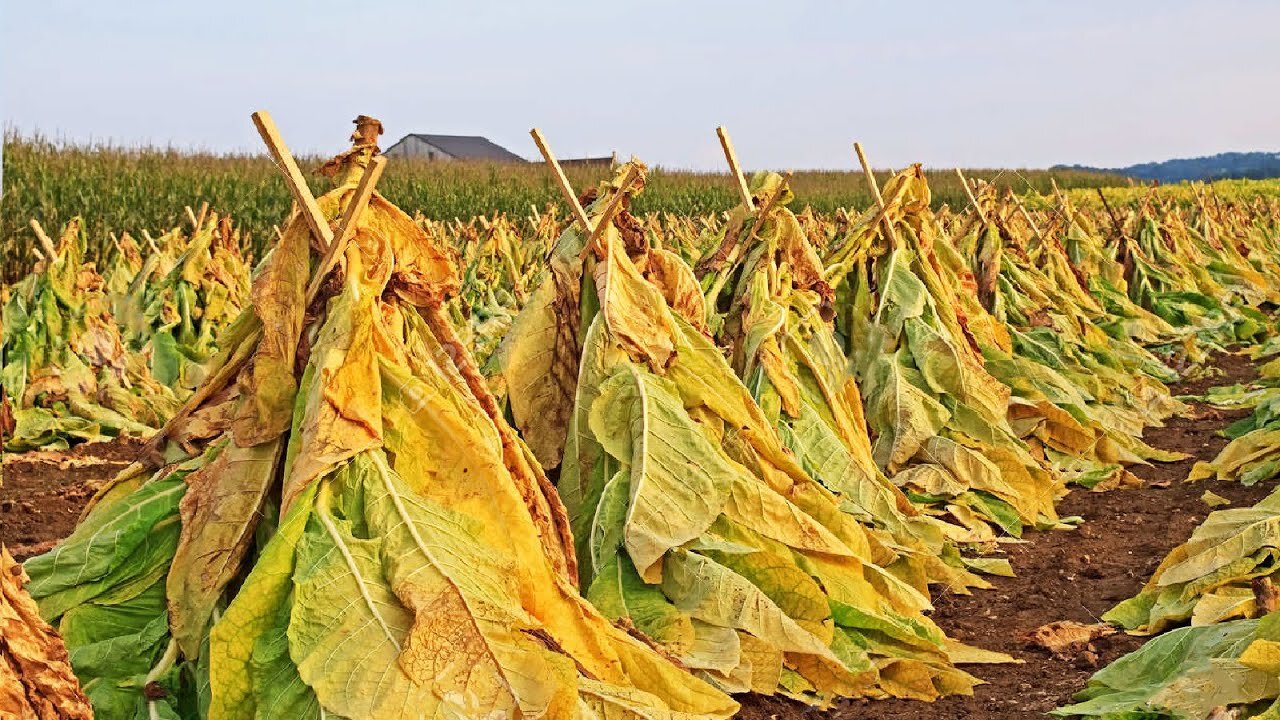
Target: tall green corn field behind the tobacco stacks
120, 189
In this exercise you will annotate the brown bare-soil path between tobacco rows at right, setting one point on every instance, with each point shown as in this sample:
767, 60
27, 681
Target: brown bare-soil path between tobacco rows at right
1067, 576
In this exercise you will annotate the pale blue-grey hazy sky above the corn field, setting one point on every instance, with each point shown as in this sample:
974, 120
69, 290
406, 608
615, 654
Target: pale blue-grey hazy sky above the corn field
1022, 84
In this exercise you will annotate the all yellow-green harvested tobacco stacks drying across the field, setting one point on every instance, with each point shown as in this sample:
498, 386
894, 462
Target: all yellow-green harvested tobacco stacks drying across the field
632, 467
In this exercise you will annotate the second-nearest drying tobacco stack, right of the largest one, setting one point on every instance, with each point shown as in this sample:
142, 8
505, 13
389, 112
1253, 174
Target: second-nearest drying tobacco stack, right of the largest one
694, 522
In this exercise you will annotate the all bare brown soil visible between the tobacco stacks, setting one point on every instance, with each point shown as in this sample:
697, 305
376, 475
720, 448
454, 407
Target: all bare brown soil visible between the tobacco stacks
1062, 576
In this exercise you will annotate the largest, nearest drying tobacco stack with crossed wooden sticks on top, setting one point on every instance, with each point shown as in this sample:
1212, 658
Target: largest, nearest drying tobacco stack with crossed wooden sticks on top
341, 523
